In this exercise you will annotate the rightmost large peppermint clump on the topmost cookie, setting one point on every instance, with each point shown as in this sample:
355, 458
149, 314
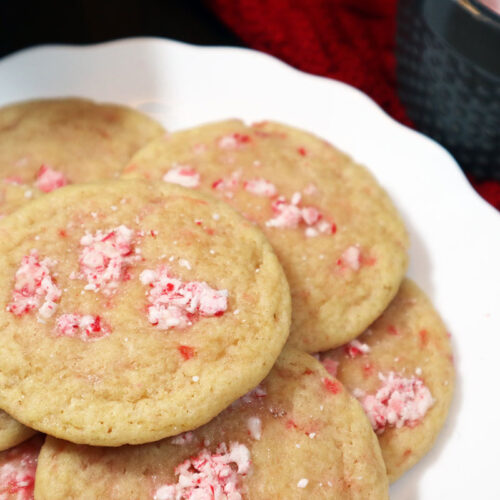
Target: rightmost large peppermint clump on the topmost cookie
175, 303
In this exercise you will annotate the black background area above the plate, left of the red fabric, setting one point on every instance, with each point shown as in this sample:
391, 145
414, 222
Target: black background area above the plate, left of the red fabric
26, 23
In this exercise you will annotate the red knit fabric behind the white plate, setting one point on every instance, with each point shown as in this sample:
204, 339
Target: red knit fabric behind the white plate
349, 40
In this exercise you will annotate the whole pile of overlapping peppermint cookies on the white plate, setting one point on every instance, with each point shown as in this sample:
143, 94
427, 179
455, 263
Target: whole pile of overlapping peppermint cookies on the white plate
228, 320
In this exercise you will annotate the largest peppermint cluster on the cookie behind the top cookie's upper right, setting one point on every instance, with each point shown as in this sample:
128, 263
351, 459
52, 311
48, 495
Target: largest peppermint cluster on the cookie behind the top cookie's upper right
291, 215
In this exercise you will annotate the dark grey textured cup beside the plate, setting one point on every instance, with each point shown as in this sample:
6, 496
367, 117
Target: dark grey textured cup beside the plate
448, 72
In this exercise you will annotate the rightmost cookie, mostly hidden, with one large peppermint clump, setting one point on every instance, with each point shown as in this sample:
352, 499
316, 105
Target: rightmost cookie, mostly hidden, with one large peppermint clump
401, 370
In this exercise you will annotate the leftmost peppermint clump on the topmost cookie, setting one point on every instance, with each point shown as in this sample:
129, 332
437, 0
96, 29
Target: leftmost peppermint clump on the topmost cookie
34, 287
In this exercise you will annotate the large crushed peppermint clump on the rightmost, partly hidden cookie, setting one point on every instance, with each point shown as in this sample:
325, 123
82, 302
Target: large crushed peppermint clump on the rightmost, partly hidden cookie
400, 401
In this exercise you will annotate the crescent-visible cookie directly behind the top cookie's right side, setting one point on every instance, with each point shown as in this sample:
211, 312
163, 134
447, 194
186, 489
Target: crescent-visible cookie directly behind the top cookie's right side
337, 234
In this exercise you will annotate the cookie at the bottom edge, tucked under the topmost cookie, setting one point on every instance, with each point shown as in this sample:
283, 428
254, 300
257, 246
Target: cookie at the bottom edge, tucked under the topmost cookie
278, 441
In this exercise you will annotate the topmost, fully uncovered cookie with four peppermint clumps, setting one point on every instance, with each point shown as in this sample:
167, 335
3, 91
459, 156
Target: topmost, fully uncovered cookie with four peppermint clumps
131, 312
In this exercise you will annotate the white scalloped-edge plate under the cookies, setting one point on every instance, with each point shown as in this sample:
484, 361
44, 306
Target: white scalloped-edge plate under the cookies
455, 252
